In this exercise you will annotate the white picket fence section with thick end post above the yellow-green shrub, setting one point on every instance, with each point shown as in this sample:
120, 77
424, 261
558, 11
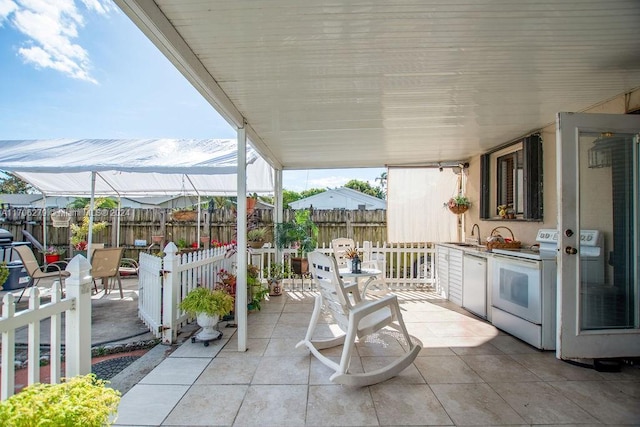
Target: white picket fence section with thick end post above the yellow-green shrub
76, 307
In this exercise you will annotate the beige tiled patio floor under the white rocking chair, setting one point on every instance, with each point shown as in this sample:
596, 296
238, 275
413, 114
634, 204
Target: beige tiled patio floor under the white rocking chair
468, 373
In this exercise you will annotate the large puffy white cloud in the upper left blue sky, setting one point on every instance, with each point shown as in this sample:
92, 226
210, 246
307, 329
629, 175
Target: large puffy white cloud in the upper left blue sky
51, 29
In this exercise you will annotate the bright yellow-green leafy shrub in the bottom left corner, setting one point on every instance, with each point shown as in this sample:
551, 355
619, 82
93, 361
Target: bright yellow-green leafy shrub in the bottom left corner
79, 401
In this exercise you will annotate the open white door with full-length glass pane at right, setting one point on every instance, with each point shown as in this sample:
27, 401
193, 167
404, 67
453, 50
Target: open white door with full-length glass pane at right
598, 184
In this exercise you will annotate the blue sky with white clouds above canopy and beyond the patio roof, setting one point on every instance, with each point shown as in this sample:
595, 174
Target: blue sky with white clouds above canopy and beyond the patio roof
82, 69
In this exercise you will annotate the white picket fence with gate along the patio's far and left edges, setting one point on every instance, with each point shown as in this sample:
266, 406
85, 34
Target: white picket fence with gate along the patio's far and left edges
164, 282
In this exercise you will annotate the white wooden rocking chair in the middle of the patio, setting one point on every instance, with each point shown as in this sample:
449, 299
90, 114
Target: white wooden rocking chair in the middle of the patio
357, 319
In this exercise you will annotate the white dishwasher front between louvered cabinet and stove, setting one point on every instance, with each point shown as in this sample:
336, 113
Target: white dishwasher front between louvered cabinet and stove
474, 285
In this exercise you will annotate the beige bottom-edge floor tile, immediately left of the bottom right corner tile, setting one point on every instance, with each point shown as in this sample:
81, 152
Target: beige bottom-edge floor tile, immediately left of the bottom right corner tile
539, 403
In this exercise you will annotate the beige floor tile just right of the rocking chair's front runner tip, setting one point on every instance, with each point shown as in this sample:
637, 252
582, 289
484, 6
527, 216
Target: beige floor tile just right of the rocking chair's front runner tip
446, 370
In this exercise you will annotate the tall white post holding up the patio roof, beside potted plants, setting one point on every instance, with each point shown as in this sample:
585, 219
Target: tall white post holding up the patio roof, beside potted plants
241, 219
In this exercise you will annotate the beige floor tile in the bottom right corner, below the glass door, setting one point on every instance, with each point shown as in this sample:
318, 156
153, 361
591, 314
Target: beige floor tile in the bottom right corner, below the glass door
610, 402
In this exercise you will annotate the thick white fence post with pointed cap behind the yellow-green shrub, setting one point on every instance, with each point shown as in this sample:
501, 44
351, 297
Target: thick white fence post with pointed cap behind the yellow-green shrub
78, 320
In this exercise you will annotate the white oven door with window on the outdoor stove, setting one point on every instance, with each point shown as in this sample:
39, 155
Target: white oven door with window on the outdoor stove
516, 287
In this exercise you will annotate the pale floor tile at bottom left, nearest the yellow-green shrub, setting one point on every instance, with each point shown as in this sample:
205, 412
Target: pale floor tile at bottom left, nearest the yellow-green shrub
157, 401
